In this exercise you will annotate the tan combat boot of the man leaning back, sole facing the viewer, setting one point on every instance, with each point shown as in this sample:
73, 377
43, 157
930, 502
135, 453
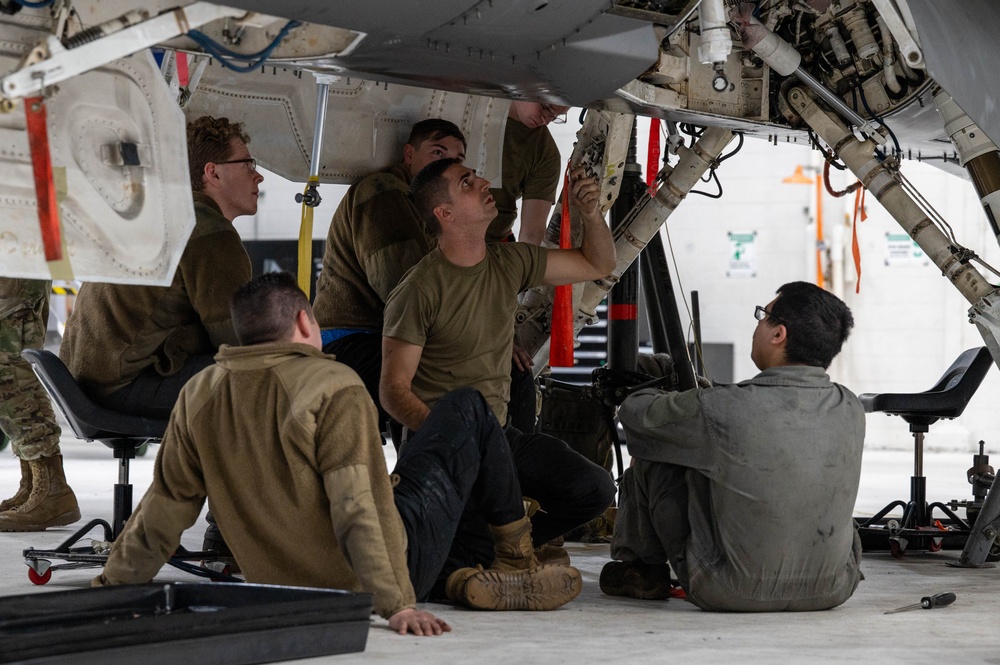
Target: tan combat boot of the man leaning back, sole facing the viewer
515, 581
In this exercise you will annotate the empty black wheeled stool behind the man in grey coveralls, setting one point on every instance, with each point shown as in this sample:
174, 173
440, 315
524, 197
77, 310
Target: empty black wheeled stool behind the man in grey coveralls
946, 399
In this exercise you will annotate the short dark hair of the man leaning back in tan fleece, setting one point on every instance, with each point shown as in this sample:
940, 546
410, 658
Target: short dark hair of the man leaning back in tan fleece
264, 309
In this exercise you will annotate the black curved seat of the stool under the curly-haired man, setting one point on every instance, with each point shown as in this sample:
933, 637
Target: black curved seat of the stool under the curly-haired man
89, 420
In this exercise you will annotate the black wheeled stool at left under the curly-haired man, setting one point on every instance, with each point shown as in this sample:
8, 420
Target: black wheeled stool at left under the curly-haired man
121, 432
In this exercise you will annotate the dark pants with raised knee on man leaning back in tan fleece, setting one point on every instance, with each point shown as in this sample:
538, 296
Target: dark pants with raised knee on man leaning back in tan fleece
456, 476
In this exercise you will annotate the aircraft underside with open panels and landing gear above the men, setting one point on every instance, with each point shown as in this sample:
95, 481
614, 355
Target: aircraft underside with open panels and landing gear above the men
871, 83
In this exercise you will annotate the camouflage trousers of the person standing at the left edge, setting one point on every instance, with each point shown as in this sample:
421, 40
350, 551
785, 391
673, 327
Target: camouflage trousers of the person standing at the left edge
26, 415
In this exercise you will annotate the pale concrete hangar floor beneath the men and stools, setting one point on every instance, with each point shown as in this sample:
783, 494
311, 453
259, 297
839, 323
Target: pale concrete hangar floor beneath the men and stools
597, 628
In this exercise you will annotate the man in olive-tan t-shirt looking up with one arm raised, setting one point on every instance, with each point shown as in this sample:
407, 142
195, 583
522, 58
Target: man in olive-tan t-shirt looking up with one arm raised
448, 326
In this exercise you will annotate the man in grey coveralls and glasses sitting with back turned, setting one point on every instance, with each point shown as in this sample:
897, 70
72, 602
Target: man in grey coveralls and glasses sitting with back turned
748, 490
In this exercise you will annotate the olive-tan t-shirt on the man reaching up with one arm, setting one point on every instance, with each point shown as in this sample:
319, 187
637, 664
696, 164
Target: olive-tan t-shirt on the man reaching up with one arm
464, 320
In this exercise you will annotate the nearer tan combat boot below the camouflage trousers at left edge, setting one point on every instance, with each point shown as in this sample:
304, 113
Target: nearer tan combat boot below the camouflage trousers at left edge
51, 502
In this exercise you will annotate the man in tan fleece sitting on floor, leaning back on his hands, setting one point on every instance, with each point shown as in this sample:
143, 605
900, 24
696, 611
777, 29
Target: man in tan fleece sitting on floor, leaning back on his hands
300, 487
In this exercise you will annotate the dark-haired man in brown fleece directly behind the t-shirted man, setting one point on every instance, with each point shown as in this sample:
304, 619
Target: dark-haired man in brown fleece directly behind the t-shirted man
375, 237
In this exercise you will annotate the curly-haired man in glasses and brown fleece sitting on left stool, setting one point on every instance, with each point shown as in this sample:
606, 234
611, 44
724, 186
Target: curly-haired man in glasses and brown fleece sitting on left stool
133, 347
